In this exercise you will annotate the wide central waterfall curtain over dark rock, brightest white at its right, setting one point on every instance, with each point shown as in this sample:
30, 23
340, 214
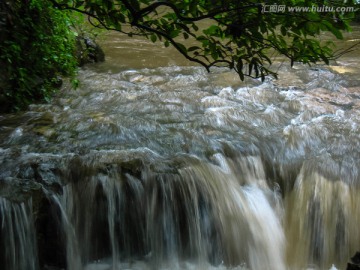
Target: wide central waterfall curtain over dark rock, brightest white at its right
202, 213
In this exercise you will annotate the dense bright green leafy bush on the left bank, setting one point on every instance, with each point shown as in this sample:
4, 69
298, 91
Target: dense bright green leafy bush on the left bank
37, 46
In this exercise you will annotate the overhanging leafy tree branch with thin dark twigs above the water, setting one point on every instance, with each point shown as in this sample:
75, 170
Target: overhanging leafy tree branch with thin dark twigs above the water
232, 33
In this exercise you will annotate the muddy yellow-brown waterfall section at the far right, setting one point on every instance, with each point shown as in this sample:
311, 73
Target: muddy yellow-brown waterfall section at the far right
322, 219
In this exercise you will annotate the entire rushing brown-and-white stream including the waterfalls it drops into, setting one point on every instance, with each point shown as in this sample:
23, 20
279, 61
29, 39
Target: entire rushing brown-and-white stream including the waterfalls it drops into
156, 164
